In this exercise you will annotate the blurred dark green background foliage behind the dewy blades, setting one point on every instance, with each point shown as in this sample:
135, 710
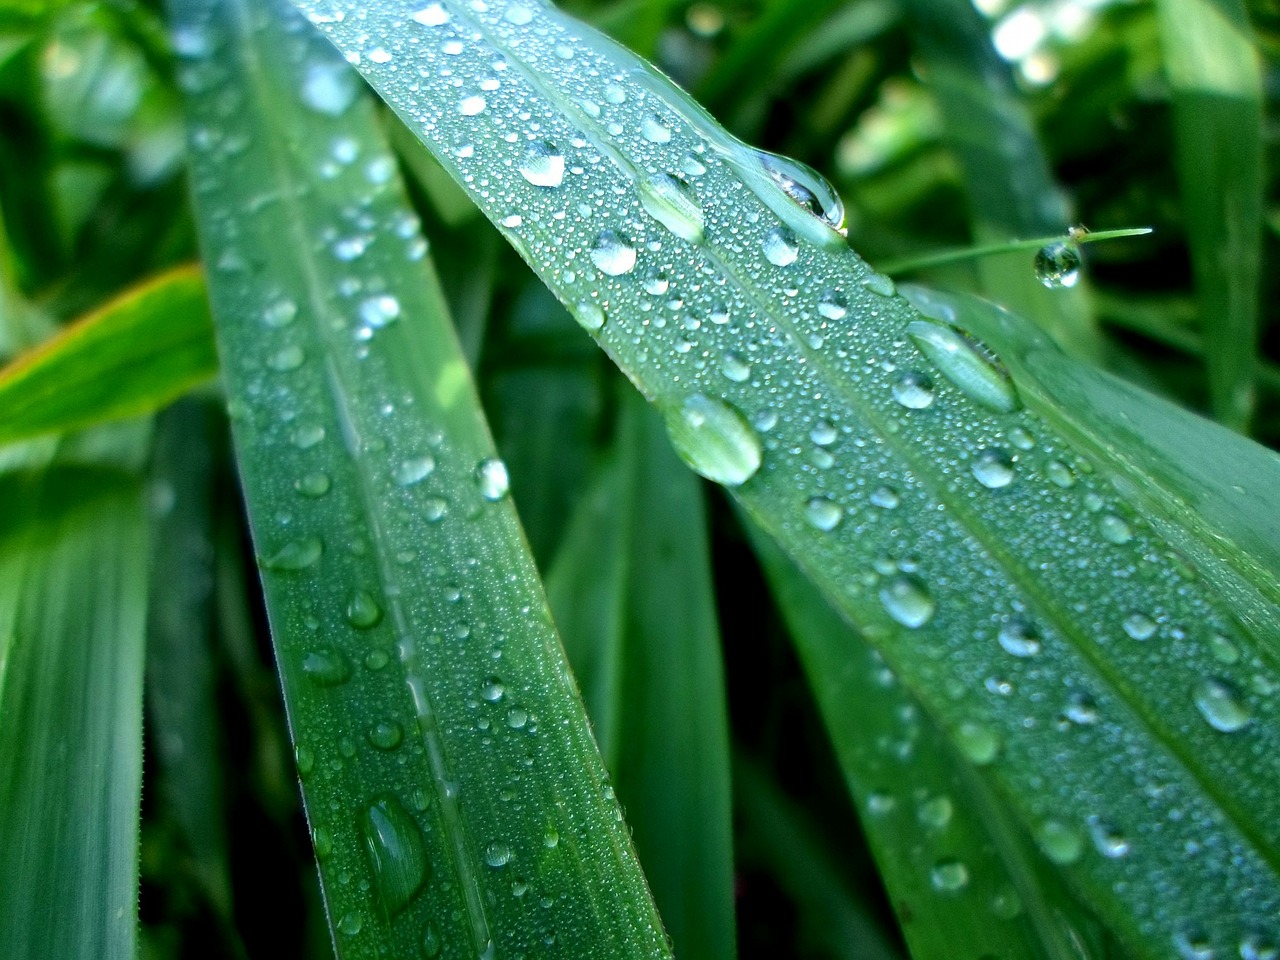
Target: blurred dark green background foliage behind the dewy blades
940, 124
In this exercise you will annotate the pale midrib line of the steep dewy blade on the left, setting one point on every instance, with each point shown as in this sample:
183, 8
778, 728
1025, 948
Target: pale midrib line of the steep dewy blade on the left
426, 712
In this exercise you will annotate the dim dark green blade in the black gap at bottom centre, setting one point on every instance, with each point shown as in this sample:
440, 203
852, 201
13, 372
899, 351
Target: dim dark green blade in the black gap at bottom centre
831, 913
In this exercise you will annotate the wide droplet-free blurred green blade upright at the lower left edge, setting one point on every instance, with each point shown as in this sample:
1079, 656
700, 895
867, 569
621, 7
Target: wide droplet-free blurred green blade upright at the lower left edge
74, 586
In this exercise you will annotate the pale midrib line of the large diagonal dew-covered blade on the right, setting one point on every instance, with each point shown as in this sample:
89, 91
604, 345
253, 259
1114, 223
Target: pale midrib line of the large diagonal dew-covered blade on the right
956, 506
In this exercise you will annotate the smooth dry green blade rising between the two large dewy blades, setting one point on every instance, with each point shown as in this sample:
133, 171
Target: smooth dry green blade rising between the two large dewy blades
633, 596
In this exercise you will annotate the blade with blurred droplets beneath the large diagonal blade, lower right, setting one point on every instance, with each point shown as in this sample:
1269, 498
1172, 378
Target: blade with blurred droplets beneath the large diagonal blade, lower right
963, 879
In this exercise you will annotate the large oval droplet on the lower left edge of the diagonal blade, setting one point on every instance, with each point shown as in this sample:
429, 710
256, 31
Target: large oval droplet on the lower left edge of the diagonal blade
715, 440
